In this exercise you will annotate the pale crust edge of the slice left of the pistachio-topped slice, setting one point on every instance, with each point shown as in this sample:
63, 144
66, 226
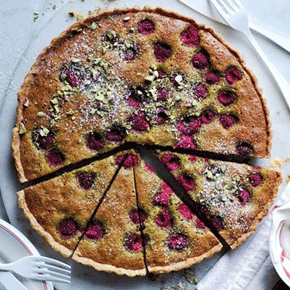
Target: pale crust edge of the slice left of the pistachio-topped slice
185, 264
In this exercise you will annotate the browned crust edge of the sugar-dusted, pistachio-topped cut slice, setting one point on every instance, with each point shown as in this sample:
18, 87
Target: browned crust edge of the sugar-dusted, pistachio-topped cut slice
261, 215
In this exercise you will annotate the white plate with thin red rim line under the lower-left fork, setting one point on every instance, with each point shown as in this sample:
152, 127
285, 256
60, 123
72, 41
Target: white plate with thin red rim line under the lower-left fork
13, 246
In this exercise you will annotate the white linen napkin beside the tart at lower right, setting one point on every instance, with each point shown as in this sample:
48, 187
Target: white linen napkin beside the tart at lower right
249, 267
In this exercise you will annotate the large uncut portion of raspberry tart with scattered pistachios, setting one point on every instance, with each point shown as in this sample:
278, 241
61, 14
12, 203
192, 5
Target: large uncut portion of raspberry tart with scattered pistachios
147, 76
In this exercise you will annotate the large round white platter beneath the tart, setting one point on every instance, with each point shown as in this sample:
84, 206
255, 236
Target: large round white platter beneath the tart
84, 277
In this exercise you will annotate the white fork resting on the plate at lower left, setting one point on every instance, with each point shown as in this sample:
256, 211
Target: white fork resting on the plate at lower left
39, 268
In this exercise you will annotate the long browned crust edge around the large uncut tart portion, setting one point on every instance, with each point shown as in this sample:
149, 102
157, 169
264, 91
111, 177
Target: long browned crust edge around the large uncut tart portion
29, 77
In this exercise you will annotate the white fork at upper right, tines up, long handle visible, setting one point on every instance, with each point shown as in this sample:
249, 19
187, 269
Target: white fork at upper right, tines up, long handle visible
234, 13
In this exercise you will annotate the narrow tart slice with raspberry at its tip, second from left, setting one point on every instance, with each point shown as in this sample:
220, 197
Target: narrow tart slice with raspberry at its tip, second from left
113, 241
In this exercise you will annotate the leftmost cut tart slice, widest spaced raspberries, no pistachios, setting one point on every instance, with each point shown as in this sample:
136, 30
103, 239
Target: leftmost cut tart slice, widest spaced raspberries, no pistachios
59, 209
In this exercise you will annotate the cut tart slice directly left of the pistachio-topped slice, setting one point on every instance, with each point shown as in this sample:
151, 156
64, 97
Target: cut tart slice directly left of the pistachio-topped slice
175, 238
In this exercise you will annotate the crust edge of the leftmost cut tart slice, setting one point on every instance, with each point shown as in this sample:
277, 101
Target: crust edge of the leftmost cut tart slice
33, 222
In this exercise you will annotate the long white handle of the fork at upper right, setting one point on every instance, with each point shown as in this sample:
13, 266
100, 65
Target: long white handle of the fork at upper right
282, 83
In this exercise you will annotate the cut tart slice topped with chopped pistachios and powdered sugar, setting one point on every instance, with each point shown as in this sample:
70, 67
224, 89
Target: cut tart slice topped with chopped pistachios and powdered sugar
234, 197
